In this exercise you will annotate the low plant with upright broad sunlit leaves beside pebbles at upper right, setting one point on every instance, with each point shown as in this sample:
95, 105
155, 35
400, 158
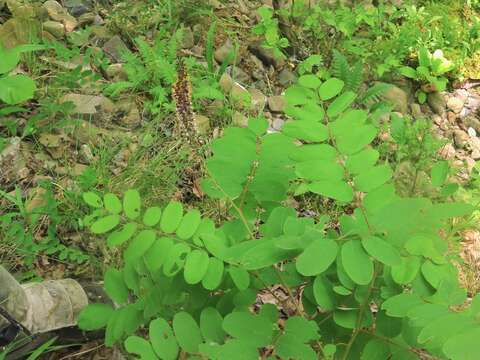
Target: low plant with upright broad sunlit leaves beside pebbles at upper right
429, 72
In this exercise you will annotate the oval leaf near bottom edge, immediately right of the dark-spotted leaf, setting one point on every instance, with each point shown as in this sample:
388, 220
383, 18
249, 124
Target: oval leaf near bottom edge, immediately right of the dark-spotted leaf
187, 332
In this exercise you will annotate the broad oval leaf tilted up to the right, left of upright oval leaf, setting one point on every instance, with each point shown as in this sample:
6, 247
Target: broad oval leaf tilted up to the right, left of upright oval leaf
317, 257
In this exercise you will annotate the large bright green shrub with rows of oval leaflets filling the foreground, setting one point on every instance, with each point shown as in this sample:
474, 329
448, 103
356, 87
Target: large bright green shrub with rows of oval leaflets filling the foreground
378, 282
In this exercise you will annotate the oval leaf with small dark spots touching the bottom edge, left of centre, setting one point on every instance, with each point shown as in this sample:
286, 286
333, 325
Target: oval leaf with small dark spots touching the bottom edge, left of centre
162, 339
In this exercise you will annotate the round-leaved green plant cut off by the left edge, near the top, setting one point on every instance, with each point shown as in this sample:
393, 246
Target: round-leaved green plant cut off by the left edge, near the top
15, 89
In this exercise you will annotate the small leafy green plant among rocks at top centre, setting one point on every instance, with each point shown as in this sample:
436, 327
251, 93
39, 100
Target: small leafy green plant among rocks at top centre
268, 27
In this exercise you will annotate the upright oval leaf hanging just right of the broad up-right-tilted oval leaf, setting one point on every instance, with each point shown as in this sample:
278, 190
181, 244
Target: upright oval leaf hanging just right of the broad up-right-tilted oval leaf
356, 262
